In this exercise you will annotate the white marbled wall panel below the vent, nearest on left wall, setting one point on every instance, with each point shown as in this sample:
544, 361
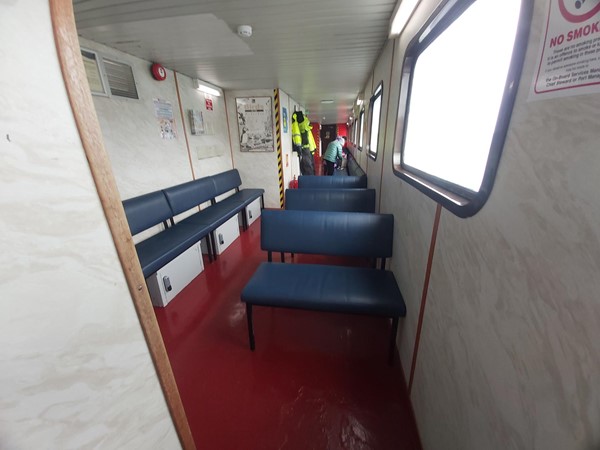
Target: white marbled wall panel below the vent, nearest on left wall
142, 161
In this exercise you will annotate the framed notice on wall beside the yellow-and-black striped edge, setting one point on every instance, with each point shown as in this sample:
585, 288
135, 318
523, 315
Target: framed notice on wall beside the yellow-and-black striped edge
255, 124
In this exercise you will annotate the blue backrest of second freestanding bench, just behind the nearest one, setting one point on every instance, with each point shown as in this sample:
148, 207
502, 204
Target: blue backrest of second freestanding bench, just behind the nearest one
350, 200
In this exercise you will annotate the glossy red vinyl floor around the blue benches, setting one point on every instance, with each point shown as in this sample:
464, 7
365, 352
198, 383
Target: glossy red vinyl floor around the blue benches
315, 381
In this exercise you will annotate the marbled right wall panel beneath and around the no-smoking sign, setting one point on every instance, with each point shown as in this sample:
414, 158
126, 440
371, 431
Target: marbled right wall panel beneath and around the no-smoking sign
510, 354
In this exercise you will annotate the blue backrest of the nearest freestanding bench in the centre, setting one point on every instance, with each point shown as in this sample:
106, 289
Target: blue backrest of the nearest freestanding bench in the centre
327, 233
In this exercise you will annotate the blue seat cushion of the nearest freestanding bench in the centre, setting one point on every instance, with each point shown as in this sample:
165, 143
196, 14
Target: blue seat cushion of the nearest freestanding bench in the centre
325, 288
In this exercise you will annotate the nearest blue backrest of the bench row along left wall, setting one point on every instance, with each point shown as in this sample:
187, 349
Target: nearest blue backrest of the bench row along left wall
146, 211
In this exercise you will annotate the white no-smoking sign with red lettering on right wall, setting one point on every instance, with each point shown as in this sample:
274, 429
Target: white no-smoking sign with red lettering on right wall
569, 61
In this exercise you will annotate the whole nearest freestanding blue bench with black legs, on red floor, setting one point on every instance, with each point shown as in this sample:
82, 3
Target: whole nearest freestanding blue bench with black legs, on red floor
343, 289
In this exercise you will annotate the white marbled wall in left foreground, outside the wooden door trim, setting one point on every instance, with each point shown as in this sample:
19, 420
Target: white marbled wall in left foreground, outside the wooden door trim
75, 371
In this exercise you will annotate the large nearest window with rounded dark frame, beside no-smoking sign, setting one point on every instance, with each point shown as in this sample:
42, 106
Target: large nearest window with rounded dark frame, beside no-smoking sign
459, 81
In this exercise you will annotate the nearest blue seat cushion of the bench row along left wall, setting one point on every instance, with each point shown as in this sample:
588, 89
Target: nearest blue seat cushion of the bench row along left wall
162, 248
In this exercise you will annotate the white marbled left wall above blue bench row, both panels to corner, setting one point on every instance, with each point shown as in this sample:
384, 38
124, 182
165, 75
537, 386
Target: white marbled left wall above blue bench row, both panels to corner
142, 160
